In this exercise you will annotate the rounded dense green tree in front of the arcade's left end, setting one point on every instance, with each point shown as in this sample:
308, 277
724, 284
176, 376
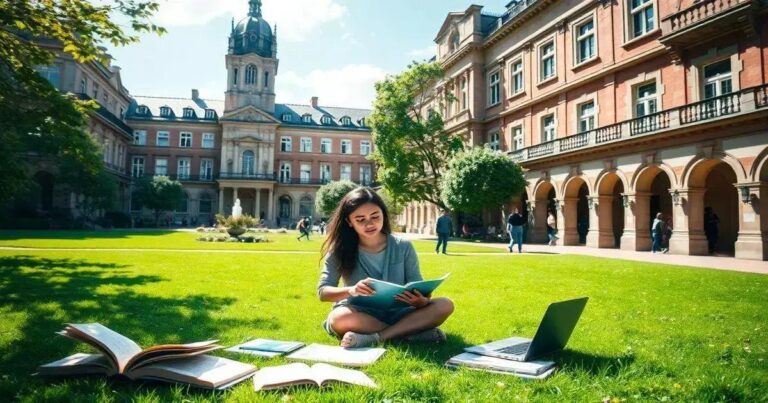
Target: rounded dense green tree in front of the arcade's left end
480, 178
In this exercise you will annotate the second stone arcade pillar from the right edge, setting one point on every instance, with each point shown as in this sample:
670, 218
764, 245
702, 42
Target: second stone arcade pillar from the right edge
688, 223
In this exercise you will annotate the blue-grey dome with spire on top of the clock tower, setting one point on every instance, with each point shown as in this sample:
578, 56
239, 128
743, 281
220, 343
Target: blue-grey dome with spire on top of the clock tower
253, 34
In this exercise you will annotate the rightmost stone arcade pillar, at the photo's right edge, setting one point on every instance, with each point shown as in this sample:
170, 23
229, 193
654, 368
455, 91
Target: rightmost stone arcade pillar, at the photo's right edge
752, 242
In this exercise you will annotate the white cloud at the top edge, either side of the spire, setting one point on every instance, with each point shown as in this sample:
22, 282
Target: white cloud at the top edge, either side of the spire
295, 19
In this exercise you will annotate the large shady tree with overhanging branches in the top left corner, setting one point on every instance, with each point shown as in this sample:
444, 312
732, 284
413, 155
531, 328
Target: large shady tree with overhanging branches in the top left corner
36, 118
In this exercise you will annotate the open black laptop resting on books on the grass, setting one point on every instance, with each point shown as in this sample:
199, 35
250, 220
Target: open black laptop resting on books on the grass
554, 331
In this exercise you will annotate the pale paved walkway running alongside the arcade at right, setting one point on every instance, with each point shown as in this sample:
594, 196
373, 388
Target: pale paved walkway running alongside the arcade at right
709, 262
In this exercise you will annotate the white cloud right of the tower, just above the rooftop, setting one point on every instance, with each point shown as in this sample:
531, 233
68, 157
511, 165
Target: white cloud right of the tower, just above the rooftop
349, 86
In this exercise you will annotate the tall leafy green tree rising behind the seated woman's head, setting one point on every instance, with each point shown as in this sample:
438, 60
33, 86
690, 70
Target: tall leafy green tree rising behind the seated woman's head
411, 146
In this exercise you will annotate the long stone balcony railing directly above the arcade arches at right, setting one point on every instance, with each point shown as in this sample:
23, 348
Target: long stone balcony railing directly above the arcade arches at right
747, 101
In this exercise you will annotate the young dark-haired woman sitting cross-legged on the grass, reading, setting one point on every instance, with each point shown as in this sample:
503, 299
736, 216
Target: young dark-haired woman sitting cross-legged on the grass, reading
360, 247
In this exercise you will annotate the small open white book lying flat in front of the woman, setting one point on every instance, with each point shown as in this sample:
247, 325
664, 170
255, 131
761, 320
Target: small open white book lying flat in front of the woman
302, 374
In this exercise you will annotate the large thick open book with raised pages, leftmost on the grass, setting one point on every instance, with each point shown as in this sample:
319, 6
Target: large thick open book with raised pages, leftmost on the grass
181, 363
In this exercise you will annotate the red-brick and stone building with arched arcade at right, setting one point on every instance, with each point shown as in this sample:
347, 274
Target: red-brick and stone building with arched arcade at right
618, 110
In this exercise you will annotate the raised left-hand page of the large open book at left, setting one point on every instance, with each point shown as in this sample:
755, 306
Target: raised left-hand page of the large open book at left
120, 348
